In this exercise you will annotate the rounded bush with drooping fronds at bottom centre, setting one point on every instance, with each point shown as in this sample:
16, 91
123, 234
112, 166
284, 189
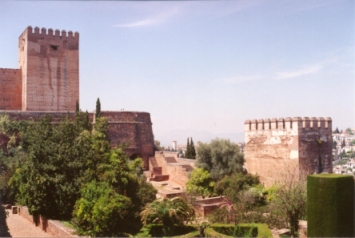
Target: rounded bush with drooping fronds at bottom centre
168, 212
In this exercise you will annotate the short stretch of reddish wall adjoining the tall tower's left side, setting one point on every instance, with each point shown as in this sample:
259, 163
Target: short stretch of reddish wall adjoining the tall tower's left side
10, 89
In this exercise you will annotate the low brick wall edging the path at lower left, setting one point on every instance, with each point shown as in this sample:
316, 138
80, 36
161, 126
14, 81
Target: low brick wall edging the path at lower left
53, 227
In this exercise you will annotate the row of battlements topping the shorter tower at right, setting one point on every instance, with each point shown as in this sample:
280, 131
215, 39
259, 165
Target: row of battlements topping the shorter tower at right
288, 123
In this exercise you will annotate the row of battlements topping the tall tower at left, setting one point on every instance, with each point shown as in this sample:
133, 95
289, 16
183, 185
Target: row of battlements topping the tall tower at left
56, 34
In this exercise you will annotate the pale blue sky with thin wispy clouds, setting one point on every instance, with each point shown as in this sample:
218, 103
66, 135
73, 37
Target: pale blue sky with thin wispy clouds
201, 68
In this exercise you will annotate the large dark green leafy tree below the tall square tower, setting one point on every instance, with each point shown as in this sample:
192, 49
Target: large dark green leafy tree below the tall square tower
49, 180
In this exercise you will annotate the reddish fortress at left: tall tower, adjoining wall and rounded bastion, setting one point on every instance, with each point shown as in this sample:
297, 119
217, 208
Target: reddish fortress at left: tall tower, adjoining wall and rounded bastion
47, 82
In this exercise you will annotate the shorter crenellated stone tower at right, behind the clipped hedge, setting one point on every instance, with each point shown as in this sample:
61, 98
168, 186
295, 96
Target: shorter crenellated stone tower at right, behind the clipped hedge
273, 146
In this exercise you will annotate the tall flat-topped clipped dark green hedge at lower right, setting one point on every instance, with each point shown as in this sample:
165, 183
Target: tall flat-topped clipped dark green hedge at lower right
330, 205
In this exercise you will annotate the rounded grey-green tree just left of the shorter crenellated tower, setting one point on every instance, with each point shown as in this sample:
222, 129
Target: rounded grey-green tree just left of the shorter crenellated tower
220, 157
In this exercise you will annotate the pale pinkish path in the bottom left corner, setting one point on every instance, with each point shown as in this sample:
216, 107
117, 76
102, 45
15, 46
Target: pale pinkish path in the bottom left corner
20, 227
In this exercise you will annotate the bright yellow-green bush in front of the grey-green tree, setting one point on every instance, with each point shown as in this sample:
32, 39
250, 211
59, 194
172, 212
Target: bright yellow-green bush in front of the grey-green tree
200, 183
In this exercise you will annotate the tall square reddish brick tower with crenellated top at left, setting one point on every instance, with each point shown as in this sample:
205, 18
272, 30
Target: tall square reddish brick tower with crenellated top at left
50, 69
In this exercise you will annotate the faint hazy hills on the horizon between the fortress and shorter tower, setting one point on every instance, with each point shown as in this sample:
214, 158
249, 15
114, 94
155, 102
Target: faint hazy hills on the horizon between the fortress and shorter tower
204, 136
